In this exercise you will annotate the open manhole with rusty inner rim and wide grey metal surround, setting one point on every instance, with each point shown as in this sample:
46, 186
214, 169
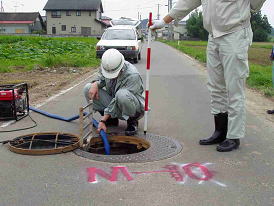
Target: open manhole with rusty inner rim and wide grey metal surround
125, 149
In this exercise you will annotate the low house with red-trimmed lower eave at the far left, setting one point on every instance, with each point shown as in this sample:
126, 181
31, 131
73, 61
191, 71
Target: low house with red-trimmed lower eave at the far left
23, 23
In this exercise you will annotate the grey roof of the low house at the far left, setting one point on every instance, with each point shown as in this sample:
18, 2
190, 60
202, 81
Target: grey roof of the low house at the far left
19, 17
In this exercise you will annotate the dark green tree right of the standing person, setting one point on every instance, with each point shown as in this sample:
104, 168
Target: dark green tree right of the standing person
260, 26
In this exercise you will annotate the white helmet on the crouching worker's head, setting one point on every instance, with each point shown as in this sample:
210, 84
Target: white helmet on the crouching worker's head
112, 63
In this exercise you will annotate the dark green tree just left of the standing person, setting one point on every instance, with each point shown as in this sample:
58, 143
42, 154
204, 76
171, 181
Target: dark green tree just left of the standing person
194, 26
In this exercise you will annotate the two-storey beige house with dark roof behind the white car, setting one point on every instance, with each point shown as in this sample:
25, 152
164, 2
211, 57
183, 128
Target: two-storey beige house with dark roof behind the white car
75, 17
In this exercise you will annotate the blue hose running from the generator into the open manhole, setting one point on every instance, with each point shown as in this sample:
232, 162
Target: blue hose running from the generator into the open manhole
95, 123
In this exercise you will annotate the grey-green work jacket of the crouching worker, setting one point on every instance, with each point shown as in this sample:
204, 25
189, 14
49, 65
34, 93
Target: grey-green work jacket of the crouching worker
128, 79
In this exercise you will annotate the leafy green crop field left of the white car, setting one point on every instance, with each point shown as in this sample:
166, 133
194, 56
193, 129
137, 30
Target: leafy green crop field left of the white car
26, 53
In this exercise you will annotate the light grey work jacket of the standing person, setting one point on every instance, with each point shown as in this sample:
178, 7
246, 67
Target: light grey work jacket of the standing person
220, 17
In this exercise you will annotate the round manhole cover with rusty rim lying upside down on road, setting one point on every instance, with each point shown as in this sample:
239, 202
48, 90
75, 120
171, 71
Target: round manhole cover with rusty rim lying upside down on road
44, 143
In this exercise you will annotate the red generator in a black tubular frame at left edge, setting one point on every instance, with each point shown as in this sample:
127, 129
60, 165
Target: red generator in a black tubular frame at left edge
14, 101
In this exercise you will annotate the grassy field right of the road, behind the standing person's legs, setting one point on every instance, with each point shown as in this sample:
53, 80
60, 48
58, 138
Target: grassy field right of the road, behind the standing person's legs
260, 77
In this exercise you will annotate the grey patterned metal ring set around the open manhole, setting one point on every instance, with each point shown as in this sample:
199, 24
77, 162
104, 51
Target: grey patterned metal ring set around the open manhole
153, 153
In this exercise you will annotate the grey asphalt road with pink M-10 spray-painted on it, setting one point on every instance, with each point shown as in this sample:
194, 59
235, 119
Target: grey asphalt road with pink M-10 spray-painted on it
180, 109
